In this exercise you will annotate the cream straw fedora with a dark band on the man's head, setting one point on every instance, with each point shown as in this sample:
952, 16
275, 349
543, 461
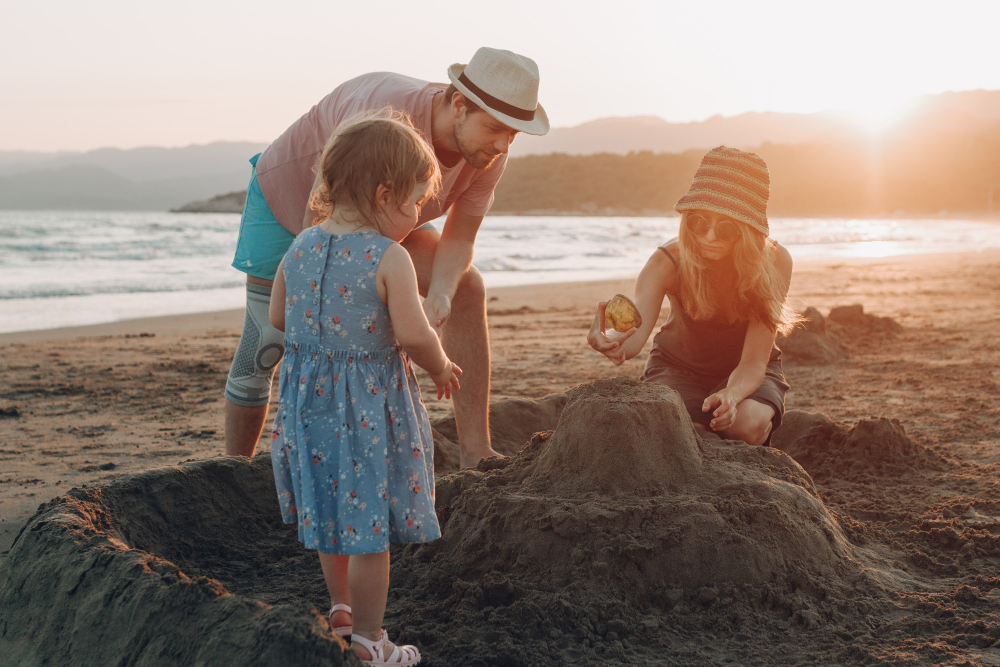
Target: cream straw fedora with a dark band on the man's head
504, 85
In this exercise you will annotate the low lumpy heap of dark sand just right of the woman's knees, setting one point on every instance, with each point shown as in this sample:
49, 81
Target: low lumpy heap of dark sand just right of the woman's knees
825, 448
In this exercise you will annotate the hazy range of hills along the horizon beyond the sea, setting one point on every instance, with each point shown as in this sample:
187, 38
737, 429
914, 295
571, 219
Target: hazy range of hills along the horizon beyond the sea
937, 157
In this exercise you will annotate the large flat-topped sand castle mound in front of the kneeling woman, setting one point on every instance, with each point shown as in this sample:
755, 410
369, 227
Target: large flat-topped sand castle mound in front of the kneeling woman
626, 490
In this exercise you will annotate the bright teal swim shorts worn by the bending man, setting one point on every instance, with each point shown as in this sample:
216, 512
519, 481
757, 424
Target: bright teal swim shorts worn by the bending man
263, 241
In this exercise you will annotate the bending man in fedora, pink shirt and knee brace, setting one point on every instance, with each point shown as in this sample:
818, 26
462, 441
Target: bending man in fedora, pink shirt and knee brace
470, 124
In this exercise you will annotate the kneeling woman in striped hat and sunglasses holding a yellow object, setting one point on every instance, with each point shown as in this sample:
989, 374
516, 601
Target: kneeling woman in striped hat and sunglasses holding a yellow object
727, 283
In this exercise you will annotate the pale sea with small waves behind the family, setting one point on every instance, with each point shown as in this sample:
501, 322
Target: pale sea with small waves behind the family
66, 268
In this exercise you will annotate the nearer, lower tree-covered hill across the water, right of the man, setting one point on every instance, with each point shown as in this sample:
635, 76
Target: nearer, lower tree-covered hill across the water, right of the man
918, 170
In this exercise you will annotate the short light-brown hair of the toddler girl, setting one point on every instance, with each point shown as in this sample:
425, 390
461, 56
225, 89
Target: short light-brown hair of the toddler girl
371, 149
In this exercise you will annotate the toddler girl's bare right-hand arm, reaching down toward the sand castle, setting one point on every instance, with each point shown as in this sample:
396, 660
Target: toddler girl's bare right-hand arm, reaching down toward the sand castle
414, 333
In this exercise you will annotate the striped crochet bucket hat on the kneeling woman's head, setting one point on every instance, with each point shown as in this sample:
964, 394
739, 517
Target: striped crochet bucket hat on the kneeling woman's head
731, 182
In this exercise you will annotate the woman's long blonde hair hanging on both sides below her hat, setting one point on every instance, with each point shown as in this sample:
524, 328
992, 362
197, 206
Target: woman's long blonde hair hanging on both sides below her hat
760, 287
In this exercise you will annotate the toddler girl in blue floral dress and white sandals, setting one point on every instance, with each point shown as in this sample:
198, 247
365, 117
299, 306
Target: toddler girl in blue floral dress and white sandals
351, 443
